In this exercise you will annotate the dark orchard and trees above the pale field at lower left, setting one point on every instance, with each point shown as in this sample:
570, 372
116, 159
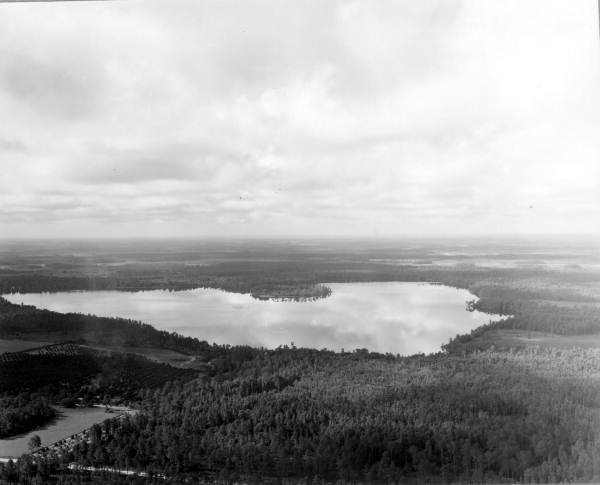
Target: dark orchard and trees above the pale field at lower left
66, 374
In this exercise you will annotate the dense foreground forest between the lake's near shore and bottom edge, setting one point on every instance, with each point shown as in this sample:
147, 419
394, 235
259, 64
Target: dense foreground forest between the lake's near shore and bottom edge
527, 416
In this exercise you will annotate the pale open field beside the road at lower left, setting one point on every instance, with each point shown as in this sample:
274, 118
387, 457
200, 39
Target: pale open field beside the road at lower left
70, 422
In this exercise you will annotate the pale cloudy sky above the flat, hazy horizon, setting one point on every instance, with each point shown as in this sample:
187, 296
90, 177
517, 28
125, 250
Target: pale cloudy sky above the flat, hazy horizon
194, 118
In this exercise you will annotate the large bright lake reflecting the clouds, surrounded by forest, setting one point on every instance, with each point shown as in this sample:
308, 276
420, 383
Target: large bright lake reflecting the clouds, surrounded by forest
404, 318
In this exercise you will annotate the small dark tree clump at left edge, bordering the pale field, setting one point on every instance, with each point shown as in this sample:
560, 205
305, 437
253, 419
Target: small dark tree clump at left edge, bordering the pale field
23, 412
